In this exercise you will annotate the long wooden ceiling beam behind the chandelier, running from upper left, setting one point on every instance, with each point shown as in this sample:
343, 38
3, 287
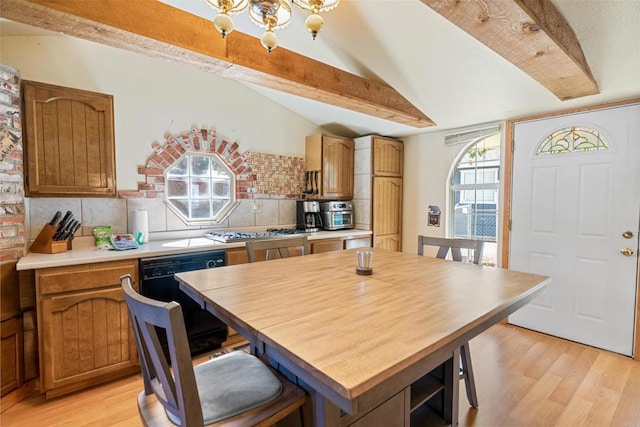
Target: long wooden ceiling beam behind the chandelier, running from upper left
158, 30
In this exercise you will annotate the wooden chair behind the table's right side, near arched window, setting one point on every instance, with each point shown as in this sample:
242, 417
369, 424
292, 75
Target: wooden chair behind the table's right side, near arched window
444, 245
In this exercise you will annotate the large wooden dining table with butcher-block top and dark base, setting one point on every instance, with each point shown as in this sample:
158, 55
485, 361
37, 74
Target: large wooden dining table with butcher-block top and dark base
371, 350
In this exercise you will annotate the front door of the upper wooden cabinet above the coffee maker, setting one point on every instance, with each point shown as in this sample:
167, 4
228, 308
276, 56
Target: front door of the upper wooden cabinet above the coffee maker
337, 168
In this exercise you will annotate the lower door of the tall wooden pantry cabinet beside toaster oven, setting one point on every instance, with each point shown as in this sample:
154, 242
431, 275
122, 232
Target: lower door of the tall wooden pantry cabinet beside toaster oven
387, 213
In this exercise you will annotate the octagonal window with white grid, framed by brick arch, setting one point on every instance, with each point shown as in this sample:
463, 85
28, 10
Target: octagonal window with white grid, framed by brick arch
200, 189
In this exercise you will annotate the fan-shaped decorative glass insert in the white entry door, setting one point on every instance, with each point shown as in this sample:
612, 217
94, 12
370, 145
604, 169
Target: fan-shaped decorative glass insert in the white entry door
572, 139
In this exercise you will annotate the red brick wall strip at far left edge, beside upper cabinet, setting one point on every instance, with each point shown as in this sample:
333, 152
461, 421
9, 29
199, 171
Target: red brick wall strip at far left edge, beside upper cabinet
12, 221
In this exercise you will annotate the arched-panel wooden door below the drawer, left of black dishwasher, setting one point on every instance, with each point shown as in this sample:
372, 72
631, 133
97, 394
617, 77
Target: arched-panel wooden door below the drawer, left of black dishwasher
86, 338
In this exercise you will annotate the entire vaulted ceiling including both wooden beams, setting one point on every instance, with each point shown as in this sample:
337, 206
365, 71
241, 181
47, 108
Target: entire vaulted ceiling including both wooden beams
394, 67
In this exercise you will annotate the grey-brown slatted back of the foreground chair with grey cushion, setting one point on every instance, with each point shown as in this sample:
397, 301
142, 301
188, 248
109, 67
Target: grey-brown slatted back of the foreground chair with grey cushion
170, 378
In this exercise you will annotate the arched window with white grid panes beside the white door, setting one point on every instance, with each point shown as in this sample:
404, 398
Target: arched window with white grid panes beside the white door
474, 193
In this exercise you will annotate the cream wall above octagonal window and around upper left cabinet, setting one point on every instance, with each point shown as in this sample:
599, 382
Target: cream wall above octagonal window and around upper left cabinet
152, 97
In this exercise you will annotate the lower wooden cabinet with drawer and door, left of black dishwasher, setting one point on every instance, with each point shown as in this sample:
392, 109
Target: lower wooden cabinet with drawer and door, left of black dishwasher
83, 323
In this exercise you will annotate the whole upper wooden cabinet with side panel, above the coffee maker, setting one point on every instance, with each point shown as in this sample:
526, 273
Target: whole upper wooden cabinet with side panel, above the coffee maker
331, 158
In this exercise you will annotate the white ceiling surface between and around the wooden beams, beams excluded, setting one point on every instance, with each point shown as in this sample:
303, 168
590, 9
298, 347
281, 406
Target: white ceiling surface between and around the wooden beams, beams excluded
443, 71
